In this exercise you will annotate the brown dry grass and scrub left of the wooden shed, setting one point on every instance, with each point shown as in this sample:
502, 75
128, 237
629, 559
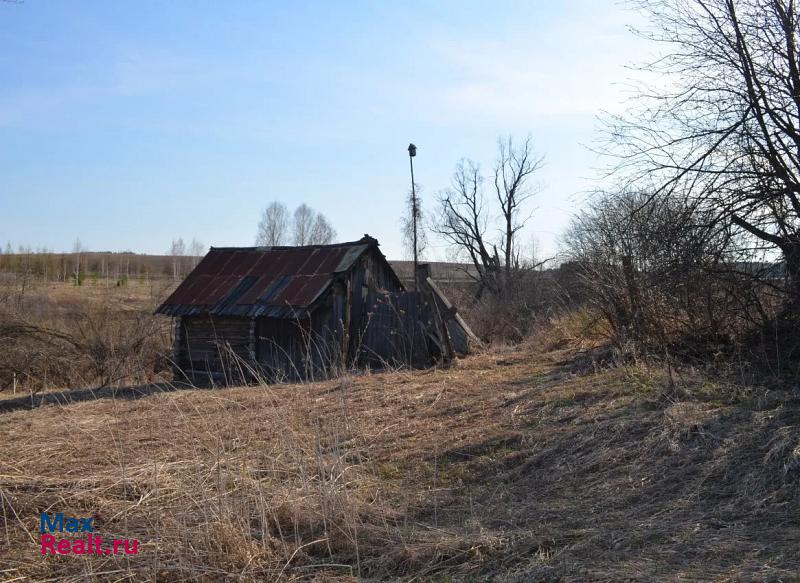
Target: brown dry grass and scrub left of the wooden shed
58, 335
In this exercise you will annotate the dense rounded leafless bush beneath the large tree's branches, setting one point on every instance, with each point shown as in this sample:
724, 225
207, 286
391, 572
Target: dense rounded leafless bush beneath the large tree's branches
664, 276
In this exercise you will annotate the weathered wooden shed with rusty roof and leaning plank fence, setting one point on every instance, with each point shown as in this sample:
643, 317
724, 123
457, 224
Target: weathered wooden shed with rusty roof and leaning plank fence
306, 312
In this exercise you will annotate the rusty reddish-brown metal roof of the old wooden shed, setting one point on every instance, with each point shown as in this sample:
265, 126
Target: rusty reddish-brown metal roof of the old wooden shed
280, 282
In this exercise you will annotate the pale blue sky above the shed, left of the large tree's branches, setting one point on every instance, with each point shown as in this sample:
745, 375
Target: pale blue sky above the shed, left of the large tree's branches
128, 124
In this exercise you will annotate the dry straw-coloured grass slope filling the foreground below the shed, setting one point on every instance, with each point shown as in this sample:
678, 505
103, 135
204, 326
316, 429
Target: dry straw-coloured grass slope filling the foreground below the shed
515, 465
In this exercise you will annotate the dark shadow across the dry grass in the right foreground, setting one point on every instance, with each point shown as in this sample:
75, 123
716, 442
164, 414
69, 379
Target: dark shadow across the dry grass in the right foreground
638, 493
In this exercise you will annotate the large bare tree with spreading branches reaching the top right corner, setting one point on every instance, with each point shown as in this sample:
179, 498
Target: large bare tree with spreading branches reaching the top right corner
726, 132
